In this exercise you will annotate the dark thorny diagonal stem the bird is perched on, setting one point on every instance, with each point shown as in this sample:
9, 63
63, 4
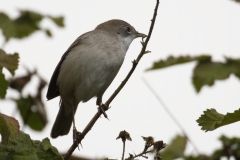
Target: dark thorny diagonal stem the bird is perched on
106, 105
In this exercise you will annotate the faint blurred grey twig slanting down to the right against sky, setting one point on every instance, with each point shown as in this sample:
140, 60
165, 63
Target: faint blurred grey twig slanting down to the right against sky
170, 114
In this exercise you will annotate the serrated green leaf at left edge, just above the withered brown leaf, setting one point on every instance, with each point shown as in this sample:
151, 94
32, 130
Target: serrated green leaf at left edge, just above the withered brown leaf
9, 61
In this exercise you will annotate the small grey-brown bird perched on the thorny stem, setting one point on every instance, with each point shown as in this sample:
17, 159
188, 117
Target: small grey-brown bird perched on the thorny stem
87, 68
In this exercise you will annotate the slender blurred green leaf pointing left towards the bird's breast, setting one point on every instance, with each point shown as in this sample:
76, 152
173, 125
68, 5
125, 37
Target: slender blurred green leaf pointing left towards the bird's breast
170, 61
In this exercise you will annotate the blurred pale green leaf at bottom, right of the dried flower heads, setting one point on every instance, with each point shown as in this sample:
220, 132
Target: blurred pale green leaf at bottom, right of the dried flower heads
175, 149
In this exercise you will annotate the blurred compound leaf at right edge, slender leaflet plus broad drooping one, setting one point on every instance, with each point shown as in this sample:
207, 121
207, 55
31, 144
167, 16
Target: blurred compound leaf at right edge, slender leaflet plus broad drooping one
206, 71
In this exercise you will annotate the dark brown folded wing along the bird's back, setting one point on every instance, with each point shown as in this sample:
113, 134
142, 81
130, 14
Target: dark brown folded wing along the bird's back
53, 90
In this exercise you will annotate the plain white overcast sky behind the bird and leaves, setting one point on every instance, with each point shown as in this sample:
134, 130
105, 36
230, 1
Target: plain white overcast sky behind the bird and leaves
182, 27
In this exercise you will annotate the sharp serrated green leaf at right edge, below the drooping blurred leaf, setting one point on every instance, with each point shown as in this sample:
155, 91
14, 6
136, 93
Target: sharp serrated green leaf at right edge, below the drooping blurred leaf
212, 120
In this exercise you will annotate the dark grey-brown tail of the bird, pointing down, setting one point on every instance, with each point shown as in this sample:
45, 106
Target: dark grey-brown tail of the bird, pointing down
63, 122
